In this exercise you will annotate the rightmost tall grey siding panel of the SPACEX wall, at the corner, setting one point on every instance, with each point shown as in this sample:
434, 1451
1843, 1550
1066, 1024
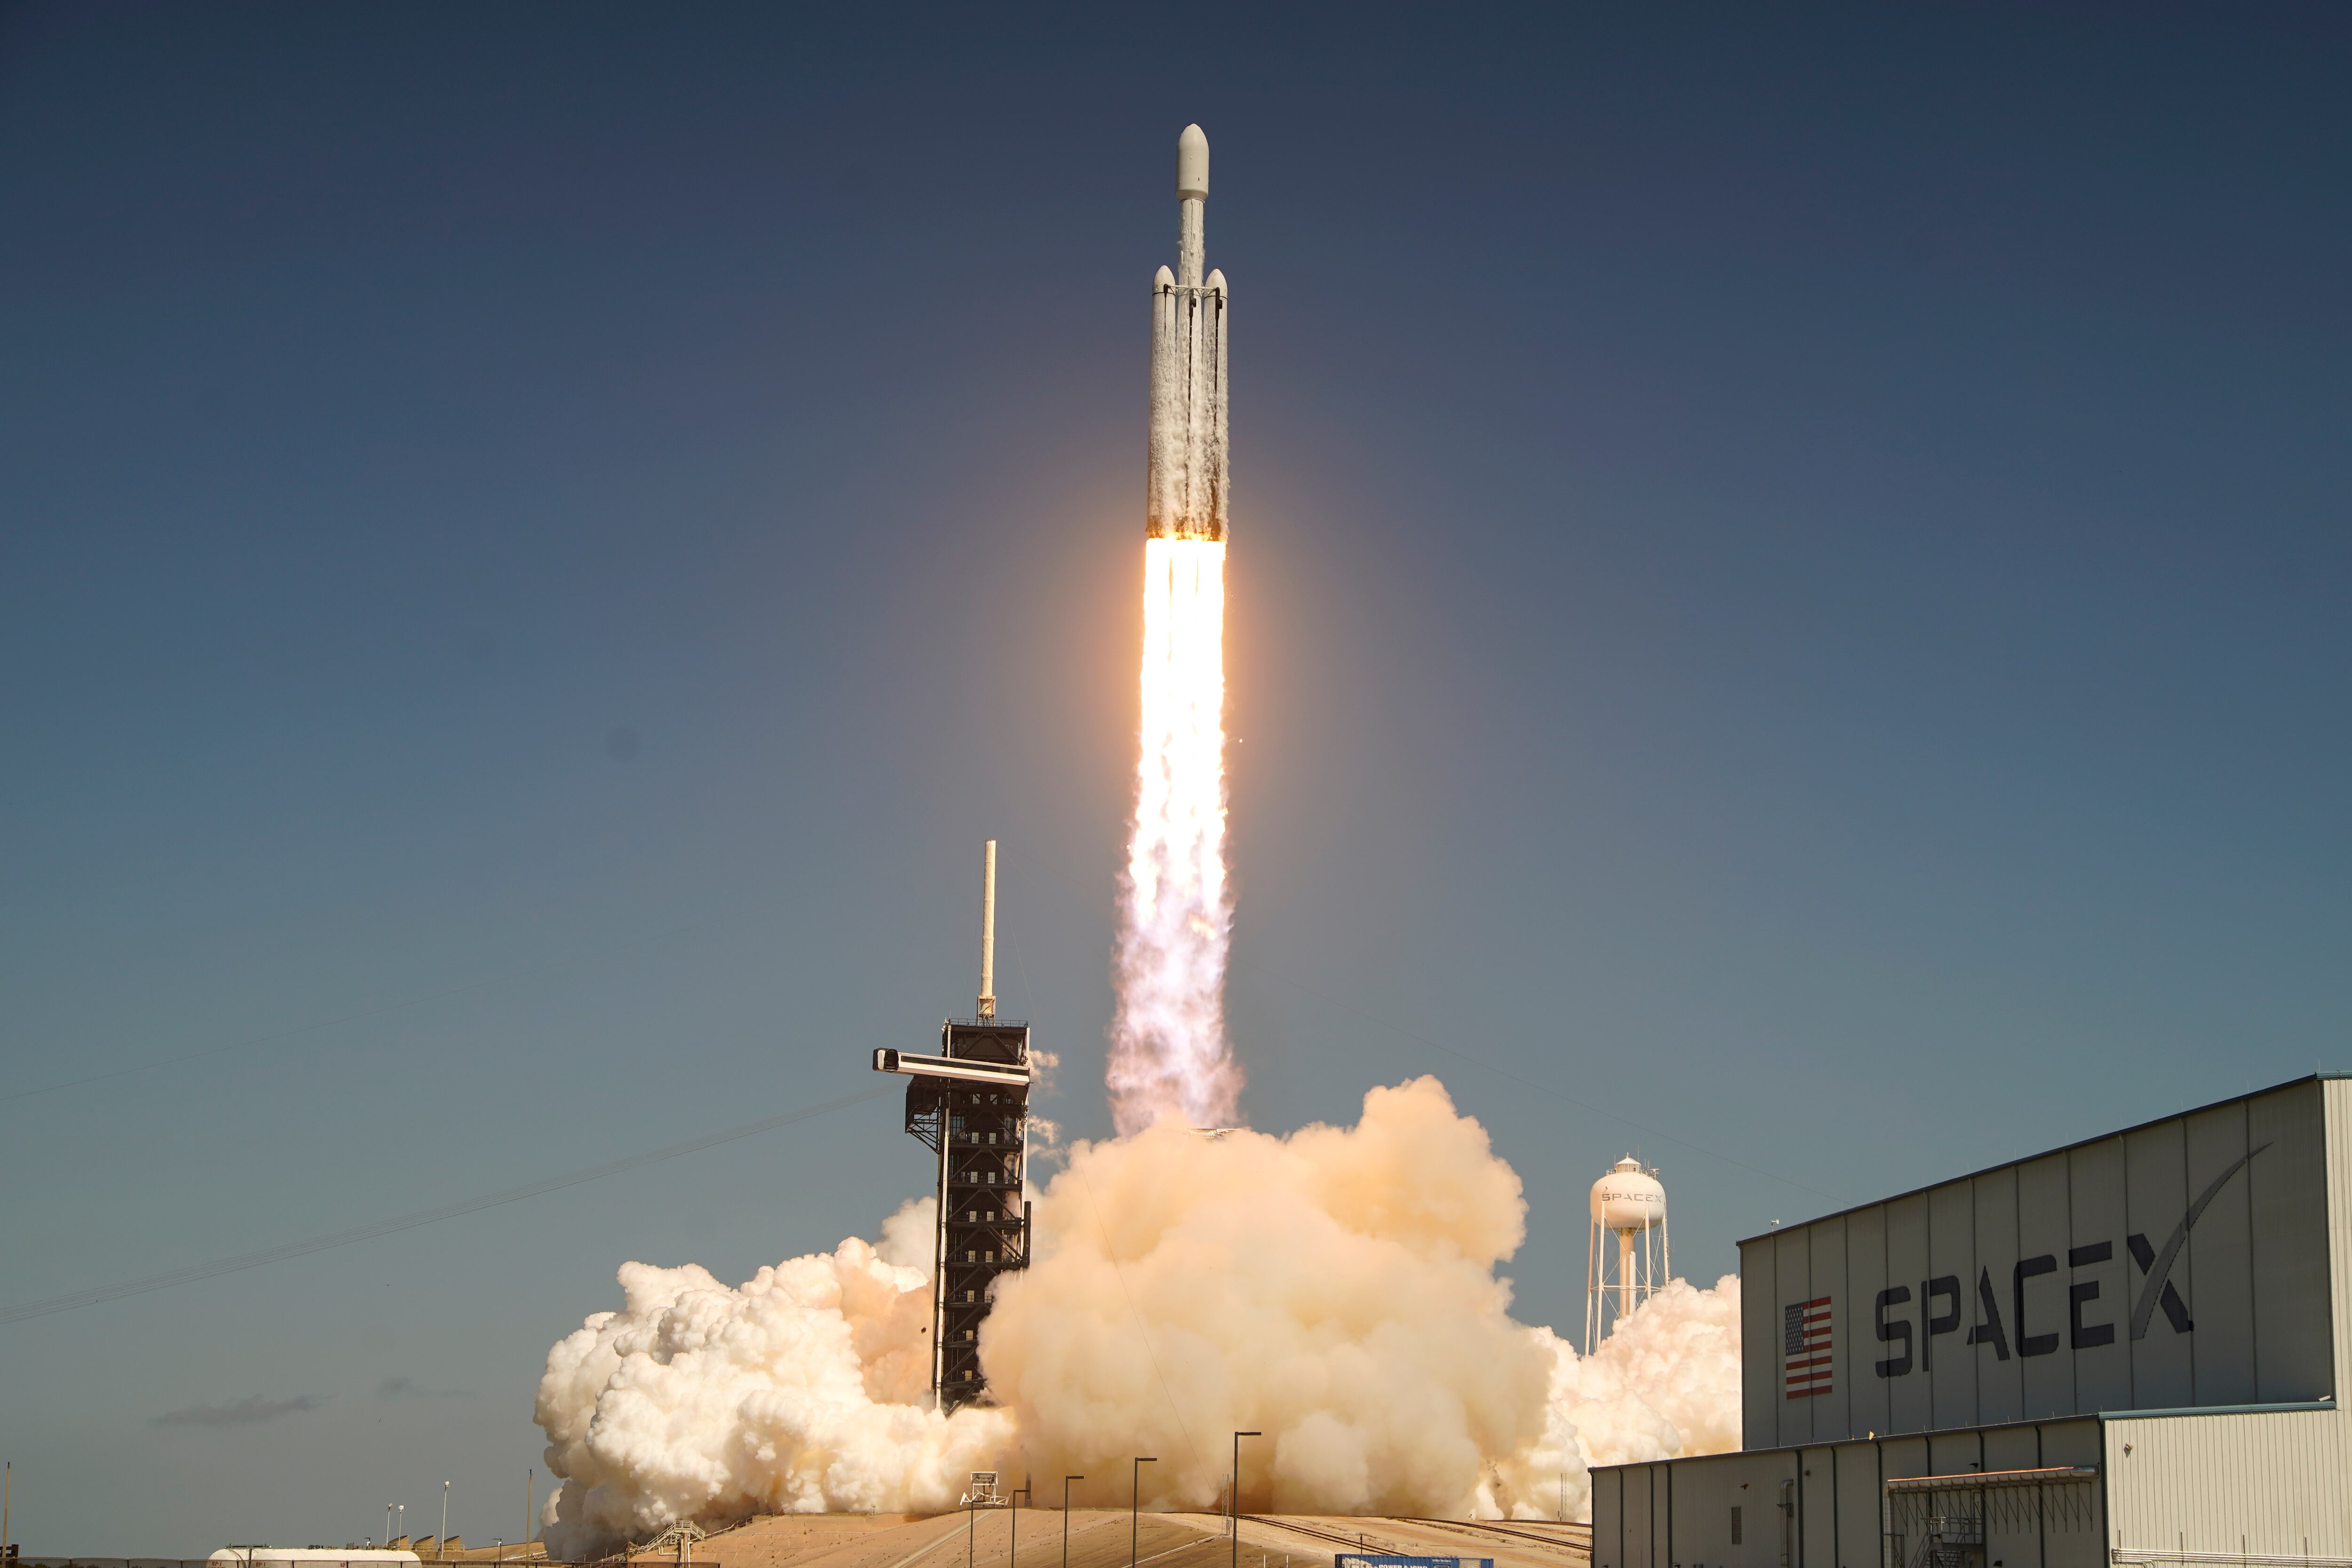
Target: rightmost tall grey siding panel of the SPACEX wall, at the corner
2287, 1191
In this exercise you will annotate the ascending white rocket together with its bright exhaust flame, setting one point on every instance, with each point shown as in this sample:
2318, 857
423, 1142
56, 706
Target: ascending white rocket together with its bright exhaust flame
1170, 1050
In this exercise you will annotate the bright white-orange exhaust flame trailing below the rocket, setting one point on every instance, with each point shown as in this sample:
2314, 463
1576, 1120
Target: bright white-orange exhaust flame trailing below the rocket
1168, 1040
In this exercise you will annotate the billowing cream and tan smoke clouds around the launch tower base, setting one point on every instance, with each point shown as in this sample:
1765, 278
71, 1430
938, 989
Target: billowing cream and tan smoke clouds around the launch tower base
1335, 1289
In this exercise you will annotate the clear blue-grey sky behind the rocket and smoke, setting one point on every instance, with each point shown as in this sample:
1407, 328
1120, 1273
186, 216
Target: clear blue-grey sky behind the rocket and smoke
1789, 617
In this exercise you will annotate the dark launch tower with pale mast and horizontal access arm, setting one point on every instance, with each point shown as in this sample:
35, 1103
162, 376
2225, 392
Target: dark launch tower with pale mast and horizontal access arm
970, 1108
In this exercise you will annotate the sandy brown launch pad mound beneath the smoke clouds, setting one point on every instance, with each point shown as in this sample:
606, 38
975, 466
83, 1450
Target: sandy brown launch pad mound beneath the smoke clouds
1100, 1539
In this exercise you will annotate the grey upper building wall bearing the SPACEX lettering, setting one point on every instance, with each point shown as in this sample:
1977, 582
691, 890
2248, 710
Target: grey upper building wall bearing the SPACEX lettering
2179, 1264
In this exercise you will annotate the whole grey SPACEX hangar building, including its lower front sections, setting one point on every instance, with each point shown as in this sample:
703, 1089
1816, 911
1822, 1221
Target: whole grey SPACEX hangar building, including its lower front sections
2118, 1353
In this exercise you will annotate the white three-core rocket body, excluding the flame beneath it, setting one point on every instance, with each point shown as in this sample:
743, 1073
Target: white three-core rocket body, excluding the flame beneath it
1189, 476
